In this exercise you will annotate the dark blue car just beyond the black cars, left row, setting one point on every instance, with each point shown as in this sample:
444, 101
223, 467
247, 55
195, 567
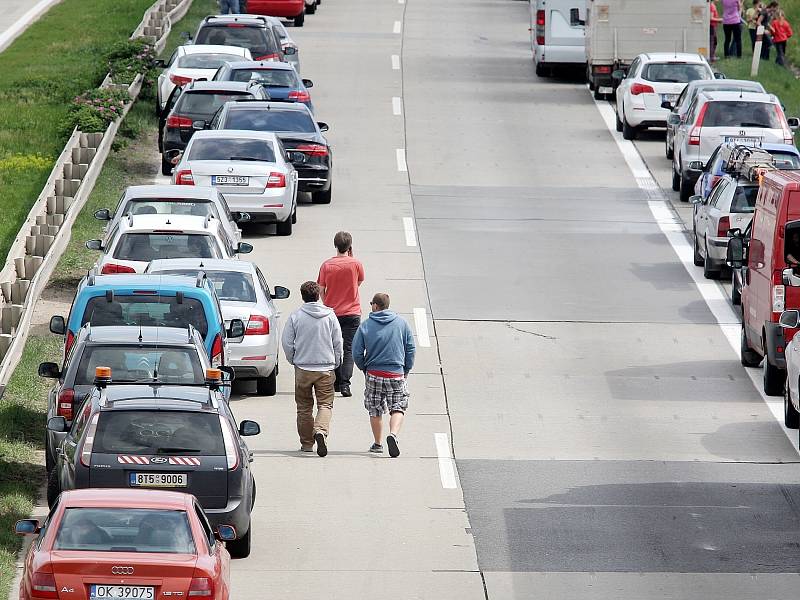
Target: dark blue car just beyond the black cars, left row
280, 79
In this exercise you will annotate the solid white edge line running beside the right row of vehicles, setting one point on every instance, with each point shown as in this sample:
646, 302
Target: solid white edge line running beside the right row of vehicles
713, 293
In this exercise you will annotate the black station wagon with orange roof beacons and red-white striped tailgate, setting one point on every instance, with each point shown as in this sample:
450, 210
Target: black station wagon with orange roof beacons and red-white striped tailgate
182, 438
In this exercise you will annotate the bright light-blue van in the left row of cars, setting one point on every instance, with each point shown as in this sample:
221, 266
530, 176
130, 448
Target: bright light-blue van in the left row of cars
150, 301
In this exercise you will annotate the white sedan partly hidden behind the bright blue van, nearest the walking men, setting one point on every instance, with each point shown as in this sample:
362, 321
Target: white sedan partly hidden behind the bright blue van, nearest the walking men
243, 294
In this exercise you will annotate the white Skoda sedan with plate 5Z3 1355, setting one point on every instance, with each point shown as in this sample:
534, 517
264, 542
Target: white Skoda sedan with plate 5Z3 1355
250, 168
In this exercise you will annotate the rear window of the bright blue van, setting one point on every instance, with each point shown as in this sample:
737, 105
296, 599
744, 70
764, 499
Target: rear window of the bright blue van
146, 310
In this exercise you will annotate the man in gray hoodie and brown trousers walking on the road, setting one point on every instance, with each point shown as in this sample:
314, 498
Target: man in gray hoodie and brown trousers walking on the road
312, 342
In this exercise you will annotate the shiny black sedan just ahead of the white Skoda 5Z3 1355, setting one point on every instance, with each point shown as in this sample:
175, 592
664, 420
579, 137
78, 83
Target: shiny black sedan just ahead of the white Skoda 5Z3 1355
293, 123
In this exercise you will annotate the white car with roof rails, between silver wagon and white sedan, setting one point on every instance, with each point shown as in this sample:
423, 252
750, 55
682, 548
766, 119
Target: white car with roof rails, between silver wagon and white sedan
137, 240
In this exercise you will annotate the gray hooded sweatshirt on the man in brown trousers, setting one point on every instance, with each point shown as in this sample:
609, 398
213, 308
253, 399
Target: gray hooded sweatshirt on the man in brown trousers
312, 338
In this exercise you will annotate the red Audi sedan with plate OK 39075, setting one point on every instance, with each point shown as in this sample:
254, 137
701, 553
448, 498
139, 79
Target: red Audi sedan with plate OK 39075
125, 544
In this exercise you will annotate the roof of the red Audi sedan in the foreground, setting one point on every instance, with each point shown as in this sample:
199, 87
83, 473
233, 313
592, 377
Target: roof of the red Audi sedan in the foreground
125, 498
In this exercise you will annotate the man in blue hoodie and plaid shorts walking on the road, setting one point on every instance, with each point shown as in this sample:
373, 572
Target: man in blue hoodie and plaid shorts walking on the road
384, 349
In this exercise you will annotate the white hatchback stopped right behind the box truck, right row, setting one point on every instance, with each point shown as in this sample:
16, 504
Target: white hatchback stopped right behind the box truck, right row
653, 82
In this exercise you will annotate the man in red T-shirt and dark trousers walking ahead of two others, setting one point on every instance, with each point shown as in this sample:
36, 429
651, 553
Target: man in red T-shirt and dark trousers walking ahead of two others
339, 278
